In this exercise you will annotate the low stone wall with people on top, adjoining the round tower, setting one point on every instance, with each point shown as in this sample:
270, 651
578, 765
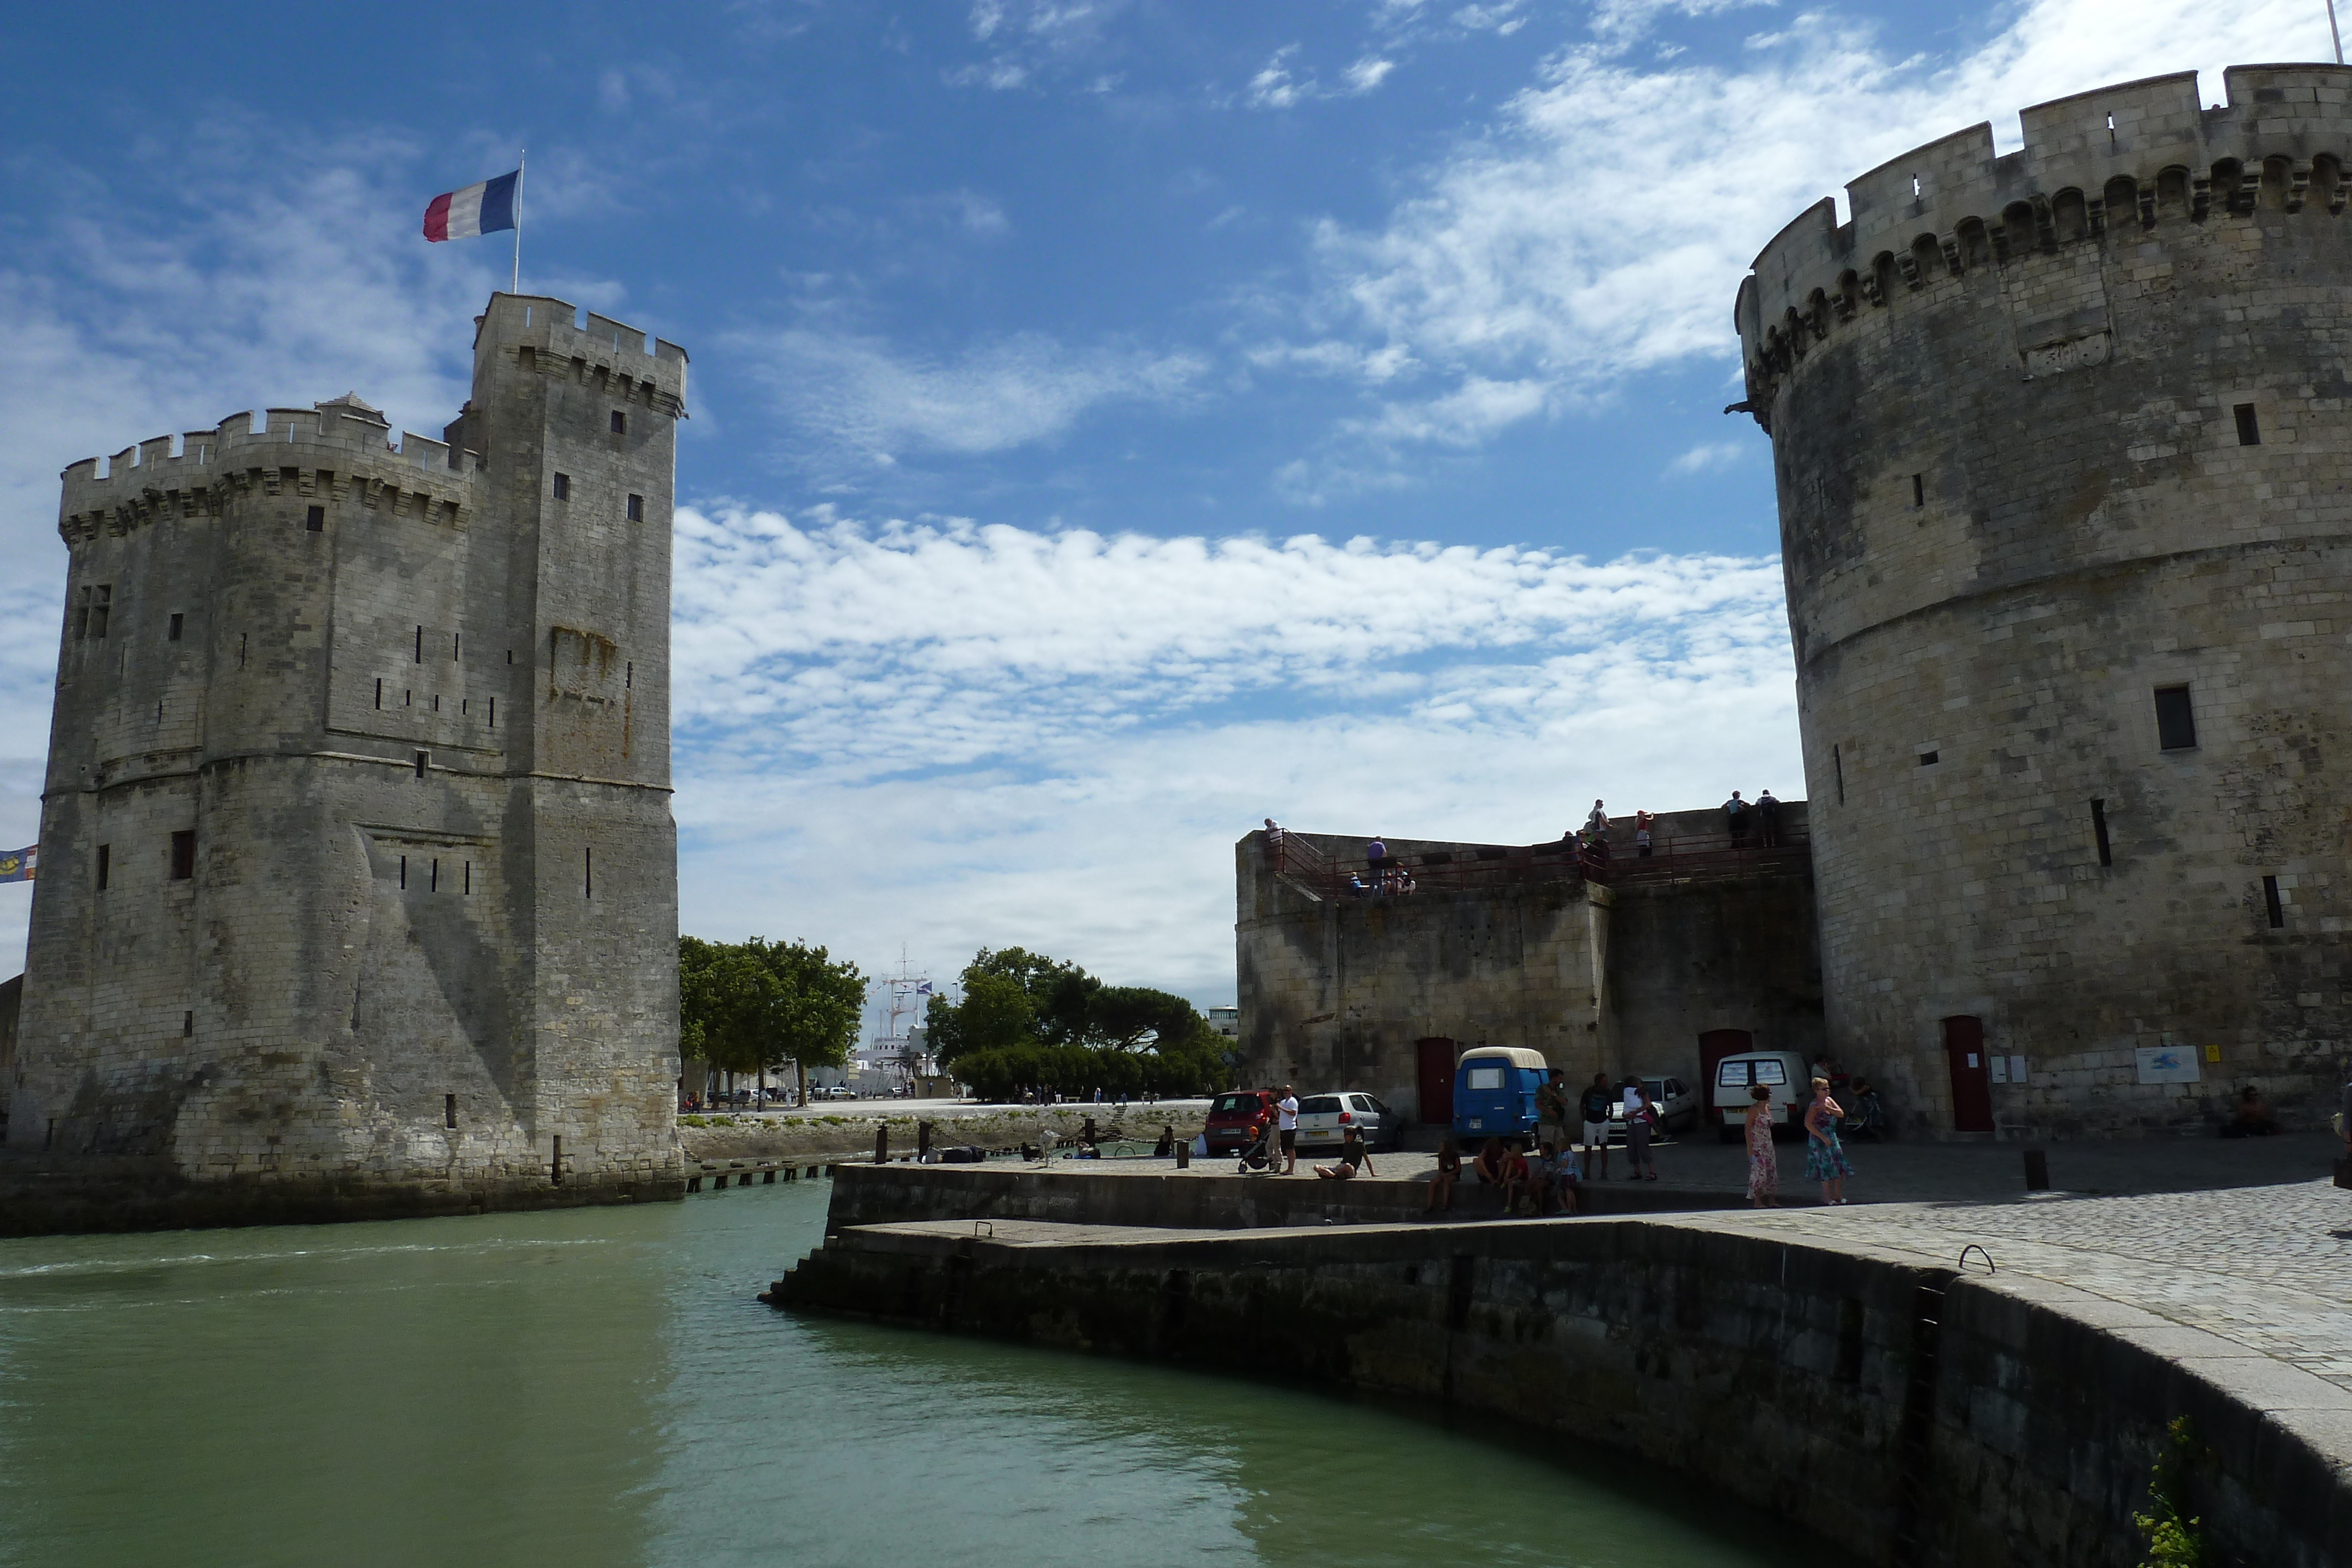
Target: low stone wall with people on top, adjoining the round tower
1610, 972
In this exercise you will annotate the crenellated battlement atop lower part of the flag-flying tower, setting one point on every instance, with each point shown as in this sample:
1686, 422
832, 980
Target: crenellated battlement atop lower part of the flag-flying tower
338, 448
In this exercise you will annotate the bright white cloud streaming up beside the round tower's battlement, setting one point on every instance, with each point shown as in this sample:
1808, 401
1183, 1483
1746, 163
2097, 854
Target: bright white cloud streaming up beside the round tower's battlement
1603, 225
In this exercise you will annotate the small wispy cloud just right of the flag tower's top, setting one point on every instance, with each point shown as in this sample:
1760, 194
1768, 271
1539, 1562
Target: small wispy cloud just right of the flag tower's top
860, 396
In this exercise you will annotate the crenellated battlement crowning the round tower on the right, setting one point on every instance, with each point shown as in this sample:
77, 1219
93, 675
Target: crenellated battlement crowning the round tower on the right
2113, 159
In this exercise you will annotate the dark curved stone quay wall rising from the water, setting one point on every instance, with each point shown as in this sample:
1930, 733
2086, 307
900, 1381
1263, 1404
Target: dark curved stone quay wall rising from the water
1904, 1414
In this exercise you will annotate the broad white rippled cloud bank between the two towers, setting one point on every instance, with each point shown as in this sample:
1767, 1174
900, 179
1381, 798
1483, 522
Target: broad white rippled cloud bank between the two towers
951, 735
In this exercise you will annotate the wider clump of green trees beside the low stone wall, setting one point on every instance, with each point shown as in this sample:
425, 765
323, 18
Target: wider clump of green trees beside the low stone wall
1029, 1021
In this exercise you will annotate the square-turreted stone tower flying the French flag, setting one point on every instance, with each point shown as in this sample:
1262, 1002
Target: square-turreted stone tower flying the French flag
359, 871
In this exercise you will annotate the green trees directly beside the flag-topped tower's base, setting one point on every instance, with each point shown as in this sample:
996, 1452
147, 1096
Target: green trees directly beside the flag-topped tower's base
756, 1005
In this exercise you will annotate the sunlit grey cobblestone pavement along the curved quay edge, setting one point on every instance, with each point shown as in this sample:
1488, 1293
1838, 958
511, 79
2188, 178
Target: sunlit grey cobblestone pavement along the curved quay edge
2269, 1268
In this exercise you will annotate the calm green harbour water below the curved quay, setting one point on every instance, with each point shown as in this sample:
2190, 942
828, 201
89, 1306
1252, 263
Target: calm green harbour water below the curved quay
601, 1388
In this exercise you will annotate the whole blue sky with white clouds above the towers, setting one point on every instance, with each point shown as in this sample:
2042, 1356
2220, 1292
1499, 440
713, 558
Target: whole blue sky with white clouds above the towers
1114, 422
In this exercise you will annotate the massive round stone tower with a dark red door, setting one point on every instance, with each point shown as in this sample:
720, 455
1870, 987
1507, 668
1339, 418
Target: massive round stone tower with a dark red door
2064, 443
